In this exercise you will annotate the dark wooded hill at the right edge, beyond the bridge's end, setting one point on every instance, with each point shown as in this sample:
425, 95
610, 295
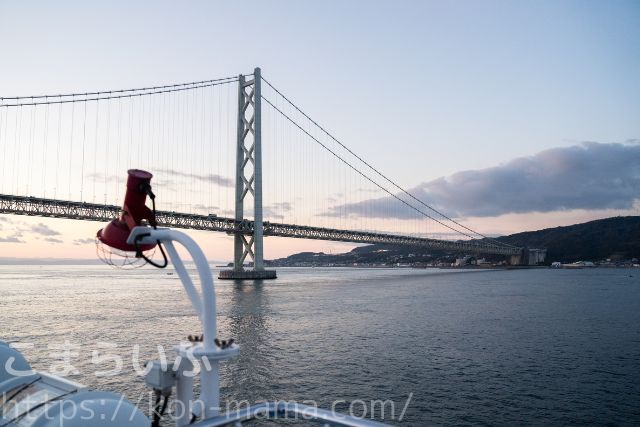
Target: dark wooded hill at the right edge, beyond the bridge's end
616, 238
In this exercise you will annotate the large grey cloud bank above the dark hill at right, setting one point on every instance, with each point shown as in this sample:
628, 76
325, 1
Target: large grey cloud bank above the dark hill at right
587, 176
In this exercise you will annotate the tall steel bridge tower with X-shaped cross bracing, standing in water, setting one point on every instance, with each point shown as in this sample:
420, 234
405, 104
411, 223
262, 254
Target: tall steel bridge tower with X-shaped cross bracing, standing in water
249, 182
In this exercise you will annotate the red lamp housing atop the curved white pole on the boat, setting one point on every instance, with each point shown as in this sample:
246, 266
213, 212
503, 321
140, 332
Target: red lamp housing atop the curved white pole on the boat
134, 213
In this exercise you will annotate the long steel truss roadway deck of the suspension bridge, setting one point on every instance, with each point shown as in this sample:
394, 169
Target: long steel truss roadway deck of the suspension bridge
33, 206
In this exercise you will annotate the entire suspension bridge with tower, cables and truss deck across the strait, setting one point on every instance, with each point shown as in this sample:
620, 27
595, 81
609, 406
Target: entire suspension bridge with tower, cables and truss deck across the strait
232, 155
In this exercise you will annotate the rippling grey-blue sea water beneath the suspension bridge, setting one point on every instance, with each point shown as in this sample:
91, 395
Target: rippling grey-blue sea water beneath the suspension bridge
558, 347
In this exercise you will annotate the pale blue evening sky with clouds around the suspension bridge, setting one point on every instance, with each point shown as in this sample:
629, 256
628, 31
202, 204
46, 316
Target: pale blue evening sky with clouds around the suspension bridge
511, 116
